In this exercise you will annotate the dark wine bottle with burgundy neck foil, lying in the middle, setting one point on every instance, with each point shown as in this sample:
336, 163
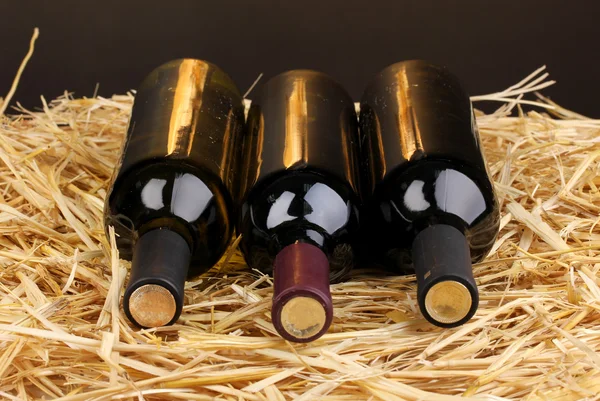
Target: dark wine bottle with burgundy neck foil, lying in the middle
299, 213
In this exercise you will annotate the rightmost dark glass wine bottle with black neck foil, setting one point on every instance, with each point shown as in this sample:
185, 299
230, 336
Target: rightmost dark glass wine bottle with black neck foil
431, 201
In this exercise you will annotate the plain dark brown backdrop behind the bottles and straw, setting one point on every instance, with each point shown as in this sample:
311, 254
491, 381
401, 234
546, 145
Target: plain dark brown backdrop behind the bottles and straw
488, 44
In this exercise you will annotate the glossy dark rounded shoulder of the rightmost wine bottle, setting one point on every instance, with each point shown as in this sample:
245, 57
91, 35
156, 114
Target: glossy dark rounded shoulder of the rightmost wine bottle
432, 192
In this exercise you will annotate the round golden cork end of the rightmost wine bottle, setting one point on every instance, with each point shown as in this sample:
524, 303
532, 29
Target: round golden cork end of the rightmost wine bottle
448, 301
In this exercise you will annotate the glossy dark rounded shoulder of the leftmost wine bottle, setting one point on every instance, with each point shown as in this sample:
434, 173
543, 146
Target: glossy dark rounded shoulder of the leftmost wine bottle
169, 194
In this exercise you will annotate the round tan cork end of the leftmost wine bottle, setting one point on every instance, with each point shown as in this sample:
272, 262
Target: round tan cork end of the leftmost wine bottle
152, 305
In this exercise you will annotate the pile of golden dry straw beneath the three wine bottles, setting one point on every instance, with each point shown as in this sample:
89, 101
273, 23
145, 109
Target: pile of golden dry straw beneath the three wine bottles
63, 335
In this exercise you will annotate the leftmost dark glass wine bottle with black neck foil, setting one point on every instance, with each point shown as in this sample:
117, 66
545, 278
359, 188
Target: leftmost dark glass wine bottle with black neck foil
171, 201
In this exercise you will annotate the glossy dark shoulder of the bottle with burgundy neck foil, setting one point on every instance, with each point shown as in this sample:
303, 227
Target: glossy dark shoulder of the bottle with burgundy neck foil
298, 207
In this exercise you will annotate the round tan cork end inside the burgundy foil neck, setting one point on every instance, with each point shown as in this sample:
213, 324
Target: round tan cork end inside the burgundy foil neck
303, 317
